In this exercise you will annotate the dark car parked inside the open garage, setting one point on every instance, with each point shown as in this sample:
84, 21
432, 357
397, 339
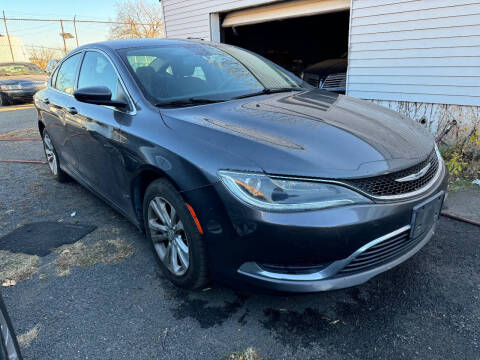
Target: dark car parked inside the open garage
329, 74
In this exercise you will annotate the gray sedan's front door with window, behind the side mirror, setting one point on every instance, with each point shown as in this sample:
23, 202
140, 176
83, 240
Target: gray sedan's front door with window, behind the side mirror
95, 130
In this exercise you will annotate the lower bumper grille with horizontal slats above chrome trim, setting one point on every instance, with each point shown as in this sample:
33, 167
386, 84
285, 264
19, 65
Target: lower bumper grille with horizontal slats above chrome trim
380, 253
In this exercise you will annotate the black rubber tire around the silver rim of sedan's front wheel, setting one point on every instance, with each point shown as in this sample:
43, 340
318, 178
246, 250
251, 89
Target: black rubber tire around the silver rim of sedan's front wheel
195, 276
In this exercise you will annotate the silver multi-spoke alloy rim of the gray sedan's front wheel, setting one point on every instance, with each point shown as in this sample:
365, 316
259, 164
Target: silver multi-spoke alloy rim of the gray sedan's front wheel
168, 236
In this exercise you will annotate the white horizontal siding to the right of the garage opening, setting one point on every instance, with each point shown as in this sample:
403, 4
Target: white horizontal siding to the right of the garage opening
415, 50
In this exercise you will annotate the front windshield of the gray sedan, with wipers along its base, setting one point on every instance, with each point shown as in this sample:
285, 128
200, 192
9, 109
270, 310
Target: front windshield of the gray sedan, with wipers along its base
172, 73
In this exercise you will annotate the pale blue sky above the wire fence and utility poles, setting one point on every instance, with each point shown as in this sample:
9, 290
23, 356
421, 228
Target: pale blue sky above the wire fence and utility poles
47, 34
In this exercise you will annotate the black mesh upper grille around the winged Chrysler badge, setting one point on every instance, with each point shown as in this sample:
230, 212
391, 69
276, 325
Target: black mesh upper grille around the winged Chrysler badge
385, 185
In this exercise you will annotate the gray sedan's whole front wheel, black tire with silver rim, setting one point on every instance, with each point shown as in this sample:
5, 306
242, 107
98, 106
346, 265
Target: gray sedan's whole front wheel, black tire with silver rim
175, 238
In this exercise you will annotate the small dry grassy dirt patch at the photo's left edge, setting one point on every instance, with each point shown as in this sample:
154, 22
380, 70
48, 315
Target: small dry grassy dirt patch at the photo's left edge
16, 267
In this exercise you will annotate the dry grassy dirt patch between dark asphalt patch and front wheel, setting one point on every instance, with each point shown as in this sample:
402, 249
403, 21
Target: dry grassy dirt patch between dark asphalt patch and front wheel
80, 254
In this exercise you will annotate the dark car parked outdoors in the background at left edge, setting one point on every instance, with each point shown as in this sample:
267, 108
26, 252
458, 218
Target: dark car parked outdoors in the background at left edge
19, 81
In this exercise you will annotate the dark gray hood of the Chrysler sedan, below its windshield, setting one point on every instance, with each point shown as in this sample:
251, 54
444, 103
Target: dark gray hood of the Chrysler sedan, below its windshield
312, 133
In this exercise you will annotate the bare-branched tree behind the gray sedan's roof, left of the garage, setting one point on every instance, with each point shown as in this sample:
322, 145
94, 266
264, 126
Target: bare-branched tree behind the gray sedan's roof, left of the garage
142, 20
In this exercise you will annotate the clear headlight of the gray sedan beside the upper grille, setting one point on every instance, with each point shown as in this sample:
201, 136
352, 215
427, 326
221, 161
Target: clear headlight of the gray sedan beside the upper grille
279, 194
